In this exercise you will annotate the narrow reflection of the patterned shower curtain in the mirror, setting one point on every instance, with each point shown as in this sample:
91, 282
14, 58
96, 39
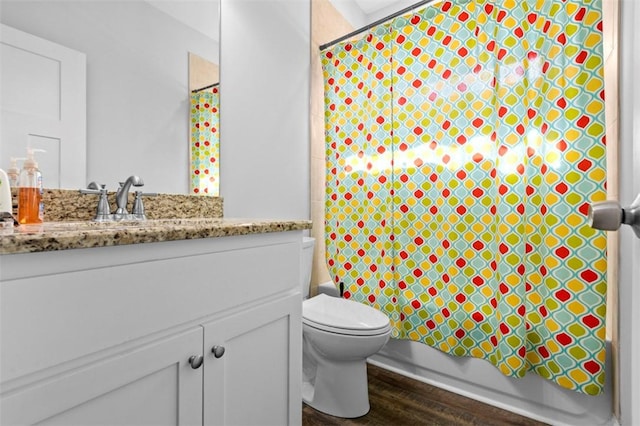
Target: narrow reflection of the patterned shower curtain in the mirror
205, 142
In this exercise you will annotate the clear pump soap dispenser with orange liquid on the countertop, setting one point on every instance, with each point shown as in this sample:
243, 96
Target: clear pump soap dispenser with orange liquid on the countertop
30, 205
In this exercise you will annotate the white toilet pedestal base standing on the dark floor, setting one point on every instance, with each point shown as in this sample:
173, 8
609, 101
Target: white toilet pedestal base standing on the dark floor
340, 389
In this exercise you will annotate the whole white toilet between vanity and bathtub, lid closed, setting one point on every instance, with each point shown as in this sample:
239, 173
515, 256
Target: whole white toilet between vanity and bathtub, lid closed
338, 336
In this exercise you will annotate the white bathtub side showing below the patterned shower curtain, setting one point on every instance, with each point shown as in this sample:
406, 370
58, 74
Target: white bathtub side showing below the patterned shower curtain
531, 396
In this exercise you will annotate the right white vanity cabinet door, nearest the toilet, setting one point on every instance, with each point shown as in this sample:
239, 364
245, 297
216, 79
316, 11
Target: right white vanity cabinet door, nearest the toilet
257, 379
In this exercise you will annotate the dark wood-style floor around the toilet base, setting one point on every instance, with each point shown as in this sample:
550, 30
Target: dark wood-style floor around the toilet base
397, 400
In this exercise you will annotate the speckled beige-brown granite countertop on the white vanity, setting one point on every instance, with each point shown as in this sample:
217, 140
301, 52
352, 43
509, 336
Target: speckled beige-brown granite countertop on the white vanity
52, 236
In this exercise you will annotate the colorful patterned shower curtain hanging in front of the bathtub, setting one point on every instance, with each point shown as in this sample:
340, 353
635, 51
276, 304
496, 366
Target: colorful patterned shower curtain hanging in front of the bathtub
464, 144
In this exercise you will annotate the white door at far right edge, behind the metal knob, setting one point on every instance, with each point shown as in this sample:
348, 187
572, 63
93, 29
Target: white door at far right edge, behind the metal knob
629, 288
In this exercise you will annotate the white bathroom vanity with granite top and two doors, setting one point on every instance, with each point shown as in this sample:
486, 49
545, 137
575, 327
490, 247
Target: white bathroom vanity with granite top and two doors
170, 322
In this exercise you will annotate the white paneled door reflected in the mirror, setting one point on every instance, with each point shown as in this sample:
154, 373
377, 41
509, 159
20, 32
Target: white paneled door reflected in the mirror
43, 104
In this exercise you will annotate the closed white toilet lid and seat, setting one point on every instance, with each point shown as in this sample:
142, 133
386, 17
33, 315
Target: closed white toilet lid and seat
343, 316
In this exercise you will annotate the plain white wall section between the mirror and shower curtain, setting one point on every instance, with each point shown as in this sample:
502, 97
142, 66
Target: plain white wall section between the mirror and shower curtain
264, 111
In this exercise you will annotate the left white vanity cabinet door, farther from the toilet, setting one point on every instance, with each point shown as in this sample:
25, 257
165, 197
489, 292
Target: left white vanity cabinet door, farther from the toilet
150, 385
